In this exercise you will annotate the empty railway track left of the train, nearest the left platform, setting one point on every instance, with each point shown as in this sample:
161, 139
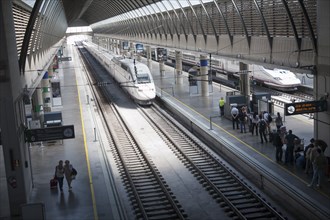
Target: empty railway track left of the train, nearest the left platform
149, 194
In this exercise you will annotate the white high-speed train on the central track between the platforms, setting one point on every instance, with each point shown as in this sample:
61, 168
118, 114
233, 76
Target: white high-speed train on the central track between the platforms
134, 77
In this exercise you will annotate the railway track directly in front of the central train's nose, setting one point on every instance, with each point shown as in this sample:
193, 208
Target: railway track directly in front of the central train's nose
236, 197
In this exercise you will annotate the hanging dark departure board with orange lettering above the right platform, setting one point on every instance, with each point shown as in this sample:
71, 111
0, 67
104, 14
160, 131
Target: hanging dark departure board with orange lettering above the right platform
296, 108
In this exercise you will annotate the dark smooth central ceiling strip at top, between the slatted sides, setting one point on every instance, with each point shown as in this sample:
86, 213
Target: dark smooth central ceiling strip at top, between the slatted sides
87, 12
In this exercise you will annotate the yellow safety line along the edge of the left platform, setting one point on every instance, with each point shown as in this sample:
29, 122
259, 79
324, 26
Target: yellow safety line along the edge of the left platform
87, 157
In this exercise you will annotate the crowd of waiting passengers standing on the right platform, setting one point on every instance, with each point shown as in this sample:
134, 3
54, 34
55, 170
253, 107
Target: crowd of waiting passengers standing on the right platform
313, 158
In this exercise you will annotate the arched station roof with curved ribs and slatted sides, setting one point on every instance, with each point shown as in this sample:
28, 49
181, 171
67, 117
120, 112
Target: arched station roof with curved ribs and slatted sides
282, 31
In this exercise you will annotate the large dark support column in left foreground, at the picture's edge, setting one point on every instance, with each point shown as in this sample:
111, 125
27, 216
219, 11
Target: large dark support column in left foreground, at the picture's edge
18, 183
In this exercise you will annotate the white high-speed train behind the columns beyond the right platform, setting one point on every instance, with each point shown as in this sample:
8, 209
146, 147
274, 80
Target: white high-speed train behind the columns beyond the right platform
280, 79
